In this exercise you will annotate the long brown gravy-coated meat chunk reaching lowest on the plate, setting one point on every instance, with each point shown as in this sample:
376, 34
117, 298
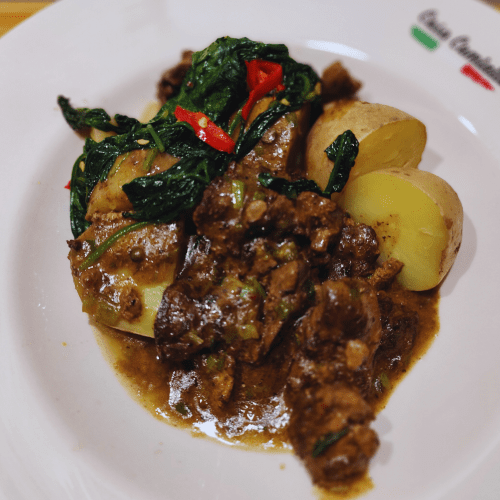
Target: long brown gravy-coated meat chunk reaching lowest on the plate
330, 381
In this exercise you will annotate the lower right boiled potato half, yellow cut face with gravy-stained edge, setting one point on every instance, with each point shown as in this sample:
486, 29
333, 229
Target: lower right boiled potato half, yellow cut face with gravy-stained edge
418, 219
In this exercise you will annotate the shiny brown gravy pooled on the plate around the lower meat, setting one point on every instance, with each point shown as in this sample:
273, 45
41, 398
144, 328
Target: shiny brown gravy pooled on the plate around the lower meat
257, 415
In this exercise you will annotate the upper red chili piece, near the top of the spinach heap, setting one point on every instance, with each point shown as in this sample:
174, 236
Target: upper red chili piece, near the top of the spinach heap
262, 77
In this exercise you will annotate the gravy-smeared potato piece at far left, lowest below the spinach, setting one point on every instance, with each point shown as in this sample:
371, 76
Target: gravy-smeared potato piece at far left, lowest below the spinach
123, 288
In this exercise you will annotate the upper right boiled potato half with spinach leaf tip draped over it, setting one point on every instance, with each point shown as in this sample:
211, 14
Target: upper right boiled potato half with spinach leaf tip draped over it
387, 138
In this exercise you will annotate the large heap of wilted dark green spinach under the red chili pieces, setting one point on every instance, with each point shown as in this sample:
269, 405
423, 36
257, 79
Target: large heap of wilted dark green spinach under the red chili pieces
215, 85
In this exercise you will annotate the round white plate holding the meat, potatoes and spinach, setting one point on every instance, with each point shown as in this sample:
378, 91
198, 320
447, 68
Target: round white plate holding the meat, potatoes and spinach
67, 427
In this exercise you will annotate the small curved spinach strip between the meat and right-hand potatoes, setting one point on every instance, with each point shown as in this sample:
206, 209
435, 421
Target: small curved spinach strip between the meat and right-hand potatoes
343, 152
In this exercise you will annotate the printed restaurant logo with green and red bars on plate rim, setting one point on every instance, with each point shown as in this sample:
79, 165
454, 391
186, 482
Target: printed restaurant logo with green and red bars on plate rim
479, 69
